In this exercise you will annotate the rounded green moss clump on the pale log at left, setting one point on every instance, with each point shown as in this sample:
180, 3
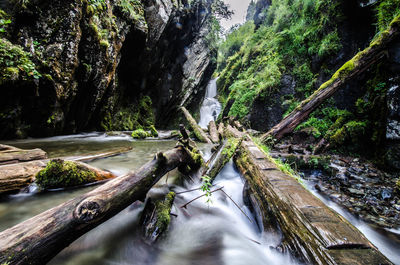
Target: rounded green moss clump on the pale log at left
62, 174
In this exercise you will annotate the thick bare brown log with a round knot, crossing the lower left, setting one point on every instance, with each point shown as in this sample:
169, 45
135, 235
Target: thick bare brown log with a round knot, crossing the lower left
40, 238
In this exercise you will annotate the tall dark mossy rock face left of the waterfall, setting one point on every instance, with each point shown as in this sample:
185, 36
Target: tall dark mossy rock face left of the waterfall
91, 62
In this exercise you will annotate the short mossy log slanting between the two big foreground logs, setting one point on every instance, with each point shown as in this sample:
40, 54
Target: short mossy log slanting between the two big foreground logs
223, 156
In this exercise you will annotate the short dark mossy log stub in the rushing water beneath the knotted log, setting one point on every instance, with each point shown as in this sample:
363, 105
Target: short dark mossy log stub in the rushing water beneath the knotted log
156, 216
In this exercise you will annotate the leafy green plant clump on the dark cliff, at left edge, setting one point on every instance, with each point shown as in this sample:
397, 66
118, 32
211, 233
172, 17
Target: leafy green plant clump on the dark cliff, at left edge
15, 63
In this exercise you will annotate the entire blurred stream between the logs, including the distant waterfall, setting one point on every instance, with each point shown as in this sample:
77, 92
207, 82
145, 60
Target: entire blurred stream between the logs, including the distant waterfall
221, 232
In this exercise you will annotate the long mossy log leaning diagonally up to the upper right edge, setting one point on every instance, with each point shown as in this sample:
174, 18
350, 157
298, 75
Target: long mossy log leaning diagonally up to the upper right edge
357, 65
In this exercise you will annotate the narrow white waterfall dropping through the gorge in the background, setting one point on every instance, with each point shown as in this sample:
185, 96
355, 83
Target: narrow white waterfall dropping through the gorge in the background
210, 108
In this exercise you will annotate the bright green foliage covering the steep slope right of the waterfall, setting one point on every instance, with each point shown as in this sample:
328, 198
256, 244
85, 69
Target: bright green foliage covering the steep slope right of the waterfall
293, 33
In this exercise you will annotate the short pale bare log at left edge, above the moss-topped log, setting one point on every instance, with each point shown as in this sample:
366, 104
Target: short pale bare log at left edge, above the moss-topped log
11, 155
